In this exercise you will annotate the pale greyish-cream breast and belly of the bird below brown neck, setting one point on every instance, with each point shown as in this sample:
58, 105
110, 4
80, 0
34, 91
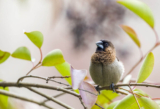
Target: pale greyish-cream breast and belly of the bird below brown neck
104, 74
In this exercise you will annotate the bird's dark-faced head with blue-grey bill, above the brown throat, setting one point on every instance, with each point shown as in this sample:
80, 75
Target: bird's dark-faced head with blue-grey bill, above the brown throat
104, 46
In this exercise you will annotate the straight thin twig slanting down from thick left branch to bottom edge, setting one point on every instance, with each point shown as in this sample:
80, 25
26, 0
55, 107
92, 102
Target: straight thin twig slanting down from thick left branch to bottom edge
49, 98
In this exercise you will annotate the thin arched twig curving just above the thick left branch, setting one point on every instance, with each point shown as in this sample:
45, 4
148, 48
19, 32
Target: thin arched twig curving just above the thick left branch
31, 76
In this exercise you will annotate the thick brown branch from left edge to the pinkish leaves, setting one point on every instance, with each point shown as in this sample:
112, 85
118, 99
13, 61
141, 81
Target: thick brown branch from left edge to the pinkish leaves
14, 84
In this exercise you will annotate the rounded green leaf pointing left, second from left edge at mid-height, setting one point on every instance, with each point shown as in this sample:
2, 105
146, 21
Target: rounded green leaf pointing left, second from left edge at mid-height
22, 53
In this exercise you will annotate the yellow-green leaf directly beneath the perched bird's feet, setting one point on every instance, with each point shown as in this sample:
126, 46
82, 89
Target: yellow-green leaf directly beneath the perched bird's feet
105, 98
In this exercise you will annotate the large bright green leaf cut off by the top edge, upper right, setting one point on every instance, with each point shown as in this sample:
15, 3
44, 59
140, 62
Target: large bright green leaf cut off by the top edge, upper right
139, 8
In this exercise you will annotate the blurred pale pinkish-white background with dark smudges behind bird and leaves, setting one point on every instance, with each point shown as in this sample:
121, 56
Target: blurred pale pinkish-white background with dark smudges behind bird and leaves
72, 26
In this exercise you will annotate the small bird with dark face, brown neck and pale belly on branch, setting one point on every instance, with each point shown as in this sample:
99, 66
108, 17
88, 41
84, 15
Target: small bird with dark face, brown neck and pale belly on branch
105, 68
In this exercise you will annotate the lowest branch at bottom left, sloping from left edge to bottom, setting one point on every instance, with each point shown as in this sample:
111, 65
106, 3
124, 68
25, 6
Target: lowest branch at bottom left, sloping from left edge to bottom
23, 98
